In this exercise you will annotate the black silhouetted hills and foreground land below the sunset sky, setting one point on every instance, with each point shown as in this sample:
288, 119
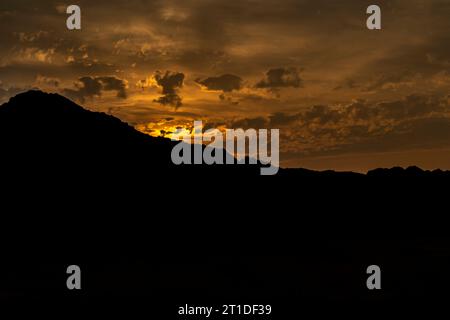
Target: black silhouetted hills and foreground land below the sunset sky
85, 188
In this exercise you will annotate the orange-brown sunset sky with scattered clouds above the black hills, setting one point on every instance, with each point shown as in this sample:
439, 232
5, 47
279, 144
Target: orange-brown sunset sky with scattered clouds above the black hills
343, 97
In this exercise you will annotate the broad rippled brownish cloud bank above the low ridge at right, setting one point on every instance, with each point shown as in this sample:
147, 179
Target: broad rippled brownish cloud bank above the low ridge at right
416, 121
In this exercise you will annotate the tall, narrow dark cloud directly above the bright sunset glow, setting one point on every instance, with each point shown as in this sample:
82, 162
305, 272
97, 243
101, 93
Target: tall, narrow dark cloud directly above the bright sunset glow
170, 82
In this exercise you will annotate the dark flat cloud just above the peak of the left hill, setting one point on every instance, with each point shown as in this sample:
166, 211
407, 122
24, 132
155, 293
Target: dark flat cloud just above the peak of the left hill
89, 87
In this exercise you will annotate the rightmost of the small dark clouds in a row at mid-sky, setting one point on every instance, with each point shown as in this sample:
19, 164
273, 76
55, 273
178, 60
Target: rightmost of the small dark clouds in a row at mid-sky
281, 78
